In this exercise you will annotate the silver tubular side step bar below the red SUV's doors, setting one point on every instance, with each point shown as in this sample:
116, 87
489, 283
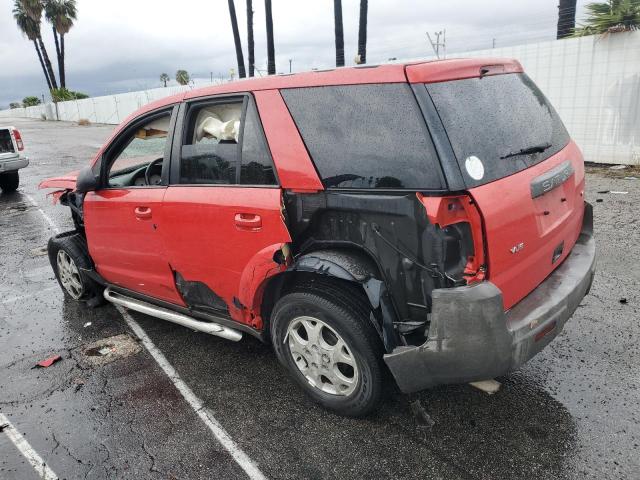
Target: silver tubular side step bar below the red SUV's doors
166, 314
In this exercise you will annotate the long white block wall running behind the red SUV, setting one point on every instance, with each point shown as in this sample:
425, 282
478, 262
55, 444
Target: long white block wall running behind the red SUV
594, 83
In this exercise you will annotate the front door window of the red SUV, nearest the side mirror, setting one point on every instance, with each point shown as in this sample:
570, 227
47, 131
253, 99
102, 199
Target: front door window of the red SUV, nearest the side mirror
142, 146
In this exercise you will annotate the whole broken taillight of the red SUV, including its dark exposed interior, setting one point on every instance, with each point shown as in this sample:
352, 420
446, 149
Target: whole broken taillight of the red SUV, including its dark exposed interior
457, 217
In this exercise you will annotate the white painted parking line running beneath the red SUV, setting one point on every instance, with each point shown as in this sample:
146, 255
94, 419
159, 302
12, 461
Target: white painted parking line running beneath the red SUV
241, 458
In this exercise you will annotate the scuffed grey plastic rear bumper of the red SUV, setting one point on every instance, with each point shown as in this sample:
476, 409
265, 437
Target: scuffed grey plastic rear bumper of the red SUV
470, 336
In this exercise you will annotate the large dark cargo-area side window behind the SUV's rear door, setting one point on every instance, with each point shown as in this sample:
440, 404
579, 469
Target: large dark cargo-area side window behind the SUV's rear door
366, 136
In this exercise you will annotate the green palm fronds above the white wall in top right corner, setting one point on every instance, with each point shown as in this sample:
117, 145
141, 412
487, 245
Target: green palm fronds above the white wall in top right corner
611, 17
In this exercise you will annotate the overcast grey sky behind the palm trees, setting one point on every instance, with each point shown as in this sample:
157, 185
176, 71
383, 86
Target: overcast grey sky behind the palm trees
124, 45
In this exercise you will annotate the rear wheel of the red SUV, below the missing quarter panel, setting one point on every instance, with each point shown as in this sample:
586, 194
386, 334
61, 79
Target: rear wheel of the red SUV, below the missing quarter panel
325, 340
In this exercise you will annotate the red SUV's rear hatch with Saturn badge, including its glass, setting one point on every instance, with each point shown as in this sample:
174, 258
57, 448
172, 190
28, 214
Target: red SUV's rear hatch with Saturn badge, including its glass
522, 170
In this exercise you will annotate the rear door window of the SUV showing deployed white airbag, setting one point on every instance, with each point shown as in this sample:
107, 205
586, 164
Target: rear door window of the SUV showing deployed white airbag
210, 151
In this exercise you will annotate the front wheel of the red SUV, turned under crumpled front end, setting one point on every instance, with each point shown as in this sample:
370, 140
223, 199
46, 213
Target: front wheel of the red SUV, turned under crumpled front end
70, 261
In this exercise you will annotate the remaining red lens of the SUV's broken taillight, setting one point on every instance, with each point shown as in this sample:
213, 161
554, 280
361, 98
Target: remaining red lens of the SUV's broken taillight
460, 209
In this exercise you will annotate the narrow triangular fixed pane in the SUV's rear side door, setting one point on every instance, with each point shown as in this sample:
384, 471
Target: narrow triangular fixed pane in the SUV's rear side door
257, 166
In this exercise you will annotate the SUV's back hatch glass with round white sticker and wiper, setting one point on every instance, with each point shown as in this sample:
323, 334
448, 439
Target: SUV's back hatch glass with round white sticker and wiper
490, 120
